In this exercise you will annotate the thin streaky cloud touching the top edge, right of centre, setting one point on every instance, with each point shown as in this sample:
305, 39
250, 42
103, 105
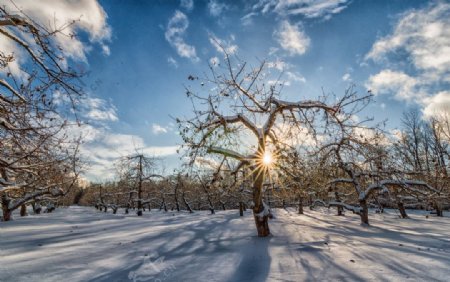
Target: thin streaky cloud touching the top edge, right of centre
307, 8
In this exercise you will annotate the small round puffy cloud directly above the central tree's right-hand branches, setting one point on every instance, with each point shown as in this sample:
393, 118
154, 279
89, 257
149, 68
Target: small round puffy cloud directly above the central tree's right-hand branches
292, 38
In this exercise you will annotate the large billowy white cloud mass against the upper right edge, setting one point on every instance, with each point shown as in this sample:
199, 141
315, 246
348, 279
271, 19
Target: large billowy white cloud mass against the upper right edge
423, 36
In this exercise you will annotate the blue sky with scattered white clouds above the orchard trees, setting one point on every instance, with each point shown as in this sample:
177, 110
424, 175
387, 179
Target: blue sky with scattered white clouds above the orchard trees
140, 62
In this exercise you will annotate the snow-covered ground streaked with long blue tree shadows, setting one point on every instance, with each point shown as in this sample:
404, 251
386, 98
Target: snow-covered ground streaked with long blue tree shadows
82, 244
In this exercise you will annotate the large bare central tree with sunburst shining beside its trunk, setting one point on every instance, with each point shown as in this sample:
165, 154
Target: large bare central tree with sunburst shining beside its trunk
243, 107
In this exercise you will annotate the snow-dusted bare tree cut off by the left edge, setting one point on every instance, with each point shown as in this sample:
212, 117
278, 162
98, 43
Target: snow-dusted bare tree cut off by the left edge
37, 155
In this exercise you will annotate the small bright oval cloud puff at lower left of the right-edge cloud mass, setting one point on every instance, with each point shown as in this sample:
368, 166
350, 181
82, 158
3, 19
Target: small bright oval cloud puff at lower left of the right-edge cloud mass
400, 84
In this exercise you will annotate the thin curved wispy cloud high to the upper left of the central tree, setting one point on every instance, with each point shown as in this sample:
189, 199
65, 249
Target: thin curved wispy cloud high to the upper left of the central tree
176, 29
